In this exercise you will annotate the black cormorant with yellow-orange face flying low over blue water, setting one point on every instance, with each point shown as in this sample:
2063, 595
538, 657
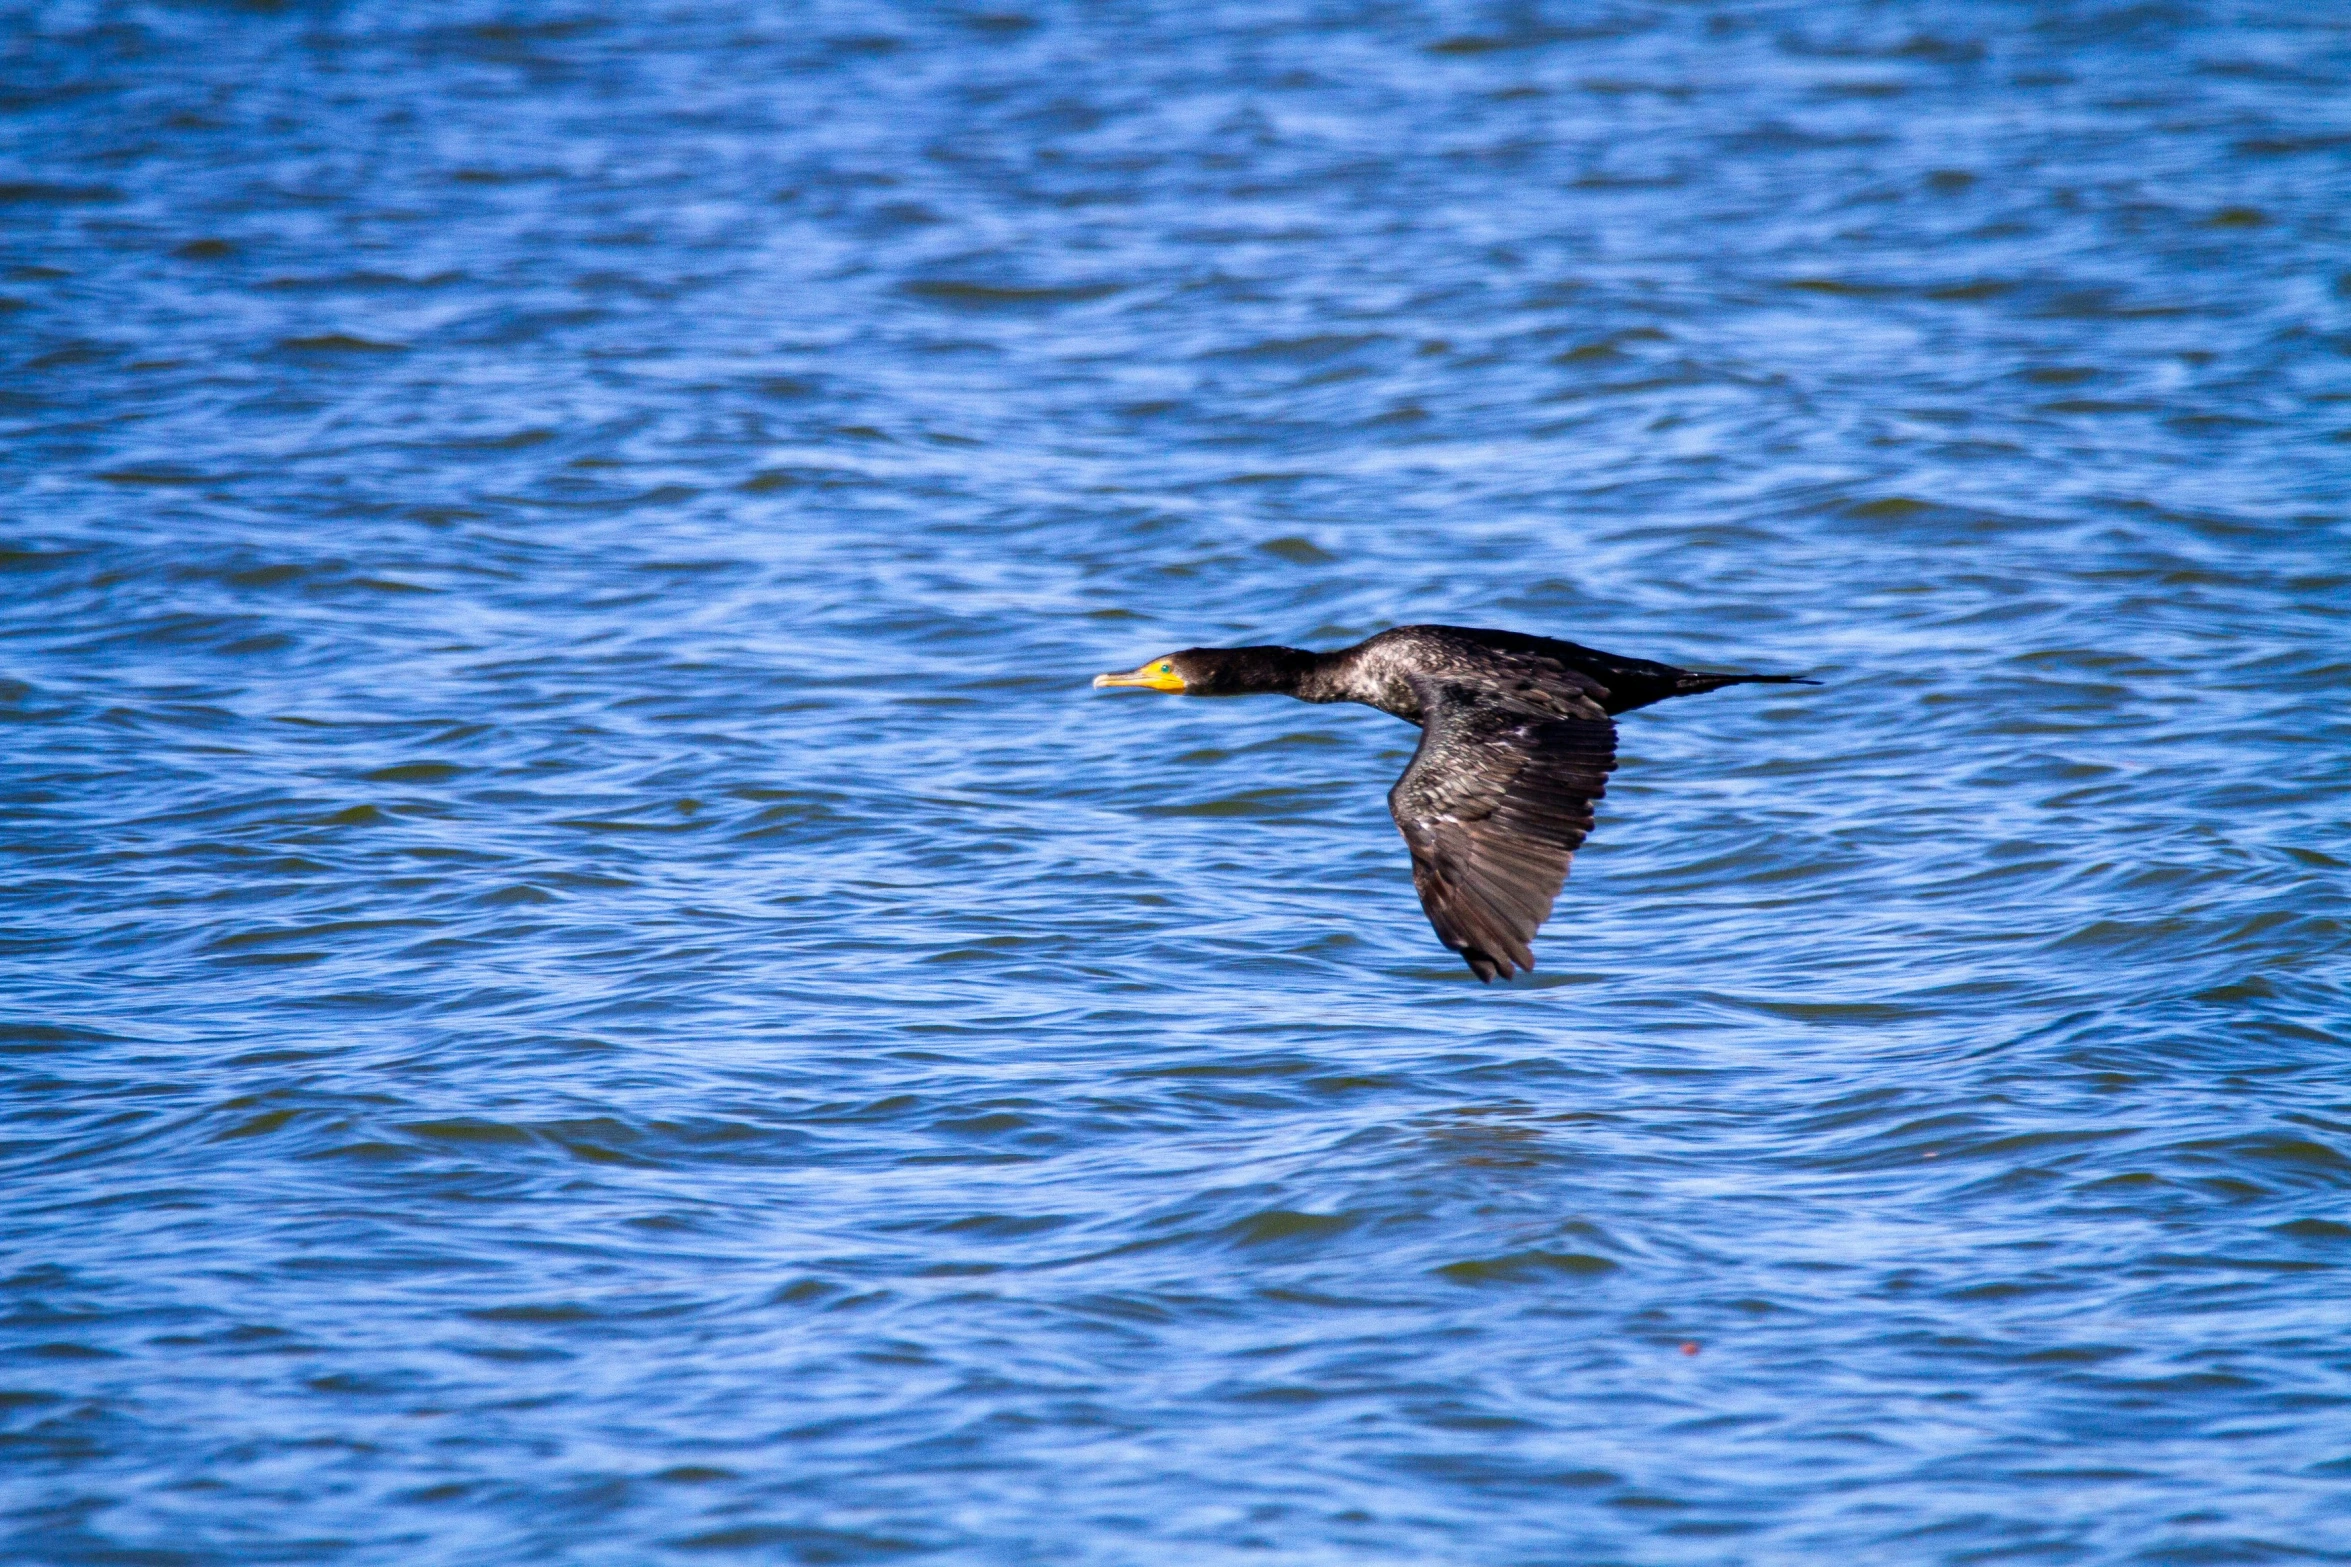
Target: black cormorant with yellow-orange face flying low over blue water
1518, 741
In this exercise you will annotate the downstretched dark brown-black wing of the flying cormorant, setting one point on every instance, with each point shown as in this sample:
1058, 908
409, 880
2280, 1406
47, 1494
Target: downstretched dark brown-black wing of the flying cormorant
1496, 802
